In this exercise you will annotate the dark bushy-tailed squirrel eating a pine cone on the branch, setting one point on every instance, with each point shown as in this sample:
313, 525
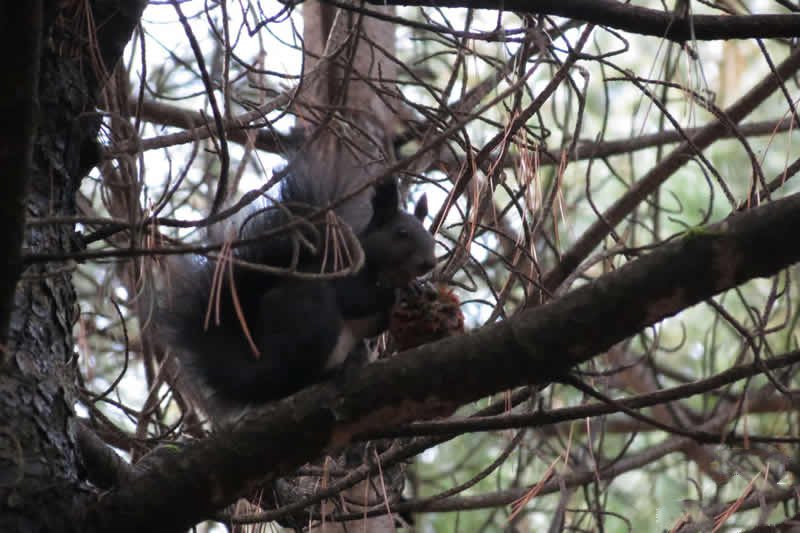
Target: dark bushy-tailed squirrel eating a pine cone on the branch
272, 334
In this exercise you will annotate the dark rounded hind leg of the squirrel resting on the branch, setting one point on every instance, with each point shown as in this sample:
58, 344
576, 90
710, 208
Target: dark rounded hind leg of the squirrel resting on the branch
295, 326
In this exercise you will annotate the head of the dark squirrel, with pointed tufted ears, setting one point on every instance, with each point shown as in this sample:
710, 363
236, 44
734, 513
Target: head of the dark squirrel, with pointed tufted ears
397, 246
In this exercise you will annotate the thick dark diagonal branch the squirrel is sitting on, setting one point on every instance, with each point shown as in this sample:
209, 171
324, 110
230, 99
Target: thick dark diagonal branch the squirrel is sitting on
537, 346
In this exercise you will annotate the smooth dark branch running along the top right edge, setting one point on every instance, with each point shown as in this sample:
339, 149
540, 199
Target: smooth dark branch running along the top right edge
635, 19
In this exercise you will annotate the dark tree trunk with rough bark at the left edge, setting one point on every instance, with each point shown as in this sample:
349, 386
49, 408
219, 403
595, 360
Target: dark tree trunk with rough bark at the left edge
42, 487
